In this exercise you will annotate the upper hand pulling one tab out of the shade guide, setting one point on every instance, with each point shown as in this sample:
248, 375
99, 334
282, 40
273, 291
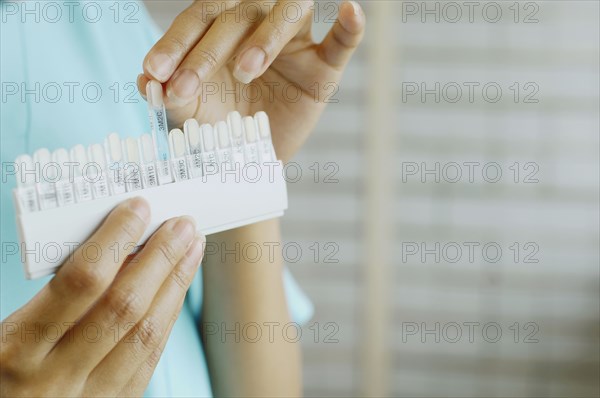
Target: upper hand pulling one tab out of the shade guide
208, 51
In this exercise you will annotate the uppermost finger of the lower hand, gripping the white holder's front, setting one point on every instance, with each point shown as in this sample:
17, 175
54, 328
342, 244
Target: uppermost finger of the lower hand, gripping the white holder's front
83, 279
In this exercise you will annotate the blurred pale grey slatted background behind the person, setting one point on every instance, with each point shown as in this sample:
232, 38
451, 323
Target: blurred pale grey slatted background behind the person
428, 282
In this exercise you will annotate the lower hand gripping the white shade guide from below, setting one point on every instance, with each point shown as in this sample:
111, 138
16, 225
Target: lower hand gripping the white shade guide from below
99, 326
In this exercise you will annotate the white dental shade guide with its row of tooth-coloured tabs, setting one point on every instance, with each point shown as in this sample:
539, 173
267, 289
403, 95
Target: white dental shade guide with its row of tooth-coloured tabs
75, 193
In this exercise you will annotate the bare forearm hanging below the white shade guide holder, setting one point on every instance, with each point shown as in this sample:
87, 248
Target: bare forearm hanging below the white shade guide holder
242, 291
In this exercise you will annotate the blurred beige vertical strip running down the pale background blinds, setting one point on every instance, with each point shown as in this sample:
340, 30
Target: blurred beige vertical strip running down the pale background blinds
377, 223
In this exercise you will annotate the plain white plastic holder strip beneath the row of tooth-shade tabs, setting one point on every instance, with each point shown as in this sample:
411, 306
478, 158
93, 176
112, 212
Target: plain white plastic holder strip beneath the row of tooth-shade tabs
215, 203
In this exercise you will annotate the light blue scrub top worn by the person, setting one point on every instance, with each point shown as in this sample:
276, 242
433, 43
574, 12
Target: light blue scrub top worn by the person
68, 72
